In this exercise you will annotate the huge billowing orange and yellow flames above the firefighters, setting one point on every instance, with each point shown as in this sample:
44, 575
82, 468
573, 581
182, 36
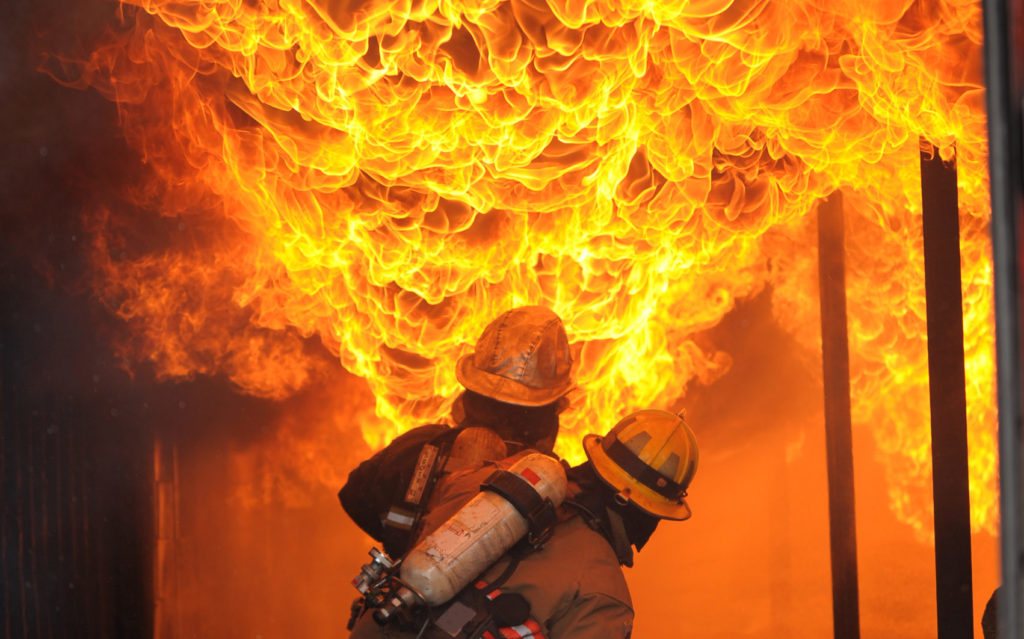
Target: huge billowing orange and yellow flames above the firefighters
386, 178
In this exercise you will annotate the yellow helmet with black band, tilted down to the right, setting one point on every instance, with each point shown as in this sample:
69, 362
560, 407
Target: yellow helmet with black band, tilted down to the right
650, 457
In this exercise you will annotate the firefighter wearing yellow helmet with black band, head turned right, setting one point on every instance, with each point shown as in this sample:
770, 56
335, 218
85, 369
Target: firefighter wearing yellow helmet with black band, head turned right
572, 587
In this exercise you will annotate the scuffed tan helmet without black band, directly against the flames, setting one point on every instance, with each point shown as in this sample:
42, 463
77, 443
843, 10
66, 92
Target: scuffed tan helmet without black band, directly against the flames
523, 358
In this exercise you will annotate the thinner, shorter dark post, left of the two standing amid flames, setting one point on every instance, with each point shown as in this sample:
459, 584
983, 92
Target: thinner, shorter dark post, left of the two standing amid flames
839, 440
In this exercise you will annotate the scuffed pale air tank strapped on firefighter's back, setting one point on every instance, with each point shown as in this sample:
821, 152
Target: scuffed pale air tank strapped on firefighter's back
481, 532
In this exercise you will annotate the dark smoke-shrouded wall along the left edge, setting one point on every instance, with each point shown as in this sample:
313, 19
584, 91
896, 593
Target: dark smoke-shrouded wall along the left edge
76, 443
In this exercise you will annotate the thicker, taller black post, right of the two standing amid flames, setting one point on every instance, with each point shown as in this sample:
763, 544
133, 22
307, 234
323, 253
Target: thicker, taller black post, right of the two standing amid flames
949, 396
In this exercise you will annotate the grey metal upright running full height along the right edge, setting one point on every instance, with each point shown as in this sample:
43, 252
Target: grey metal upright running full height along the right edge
1004, 71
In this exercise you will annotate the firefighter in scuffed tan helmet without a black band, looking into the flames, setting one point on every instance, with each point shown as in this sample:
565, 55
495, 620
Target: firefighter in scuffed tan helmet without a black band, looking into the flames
516, 380
